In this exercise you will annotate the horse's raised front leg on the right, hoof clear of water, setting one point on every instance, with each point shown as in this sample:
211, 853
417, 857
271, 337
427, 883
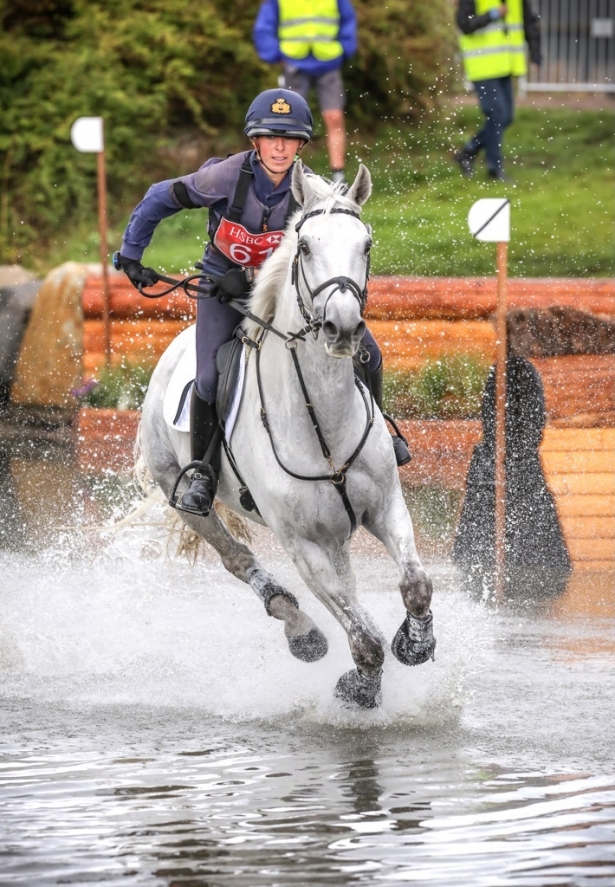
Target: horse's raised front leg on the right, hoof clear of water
414, 642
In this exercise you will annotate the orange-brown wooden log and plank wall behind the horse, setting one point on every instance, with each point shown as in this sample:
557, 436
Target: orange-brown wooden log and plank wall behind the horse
415, 319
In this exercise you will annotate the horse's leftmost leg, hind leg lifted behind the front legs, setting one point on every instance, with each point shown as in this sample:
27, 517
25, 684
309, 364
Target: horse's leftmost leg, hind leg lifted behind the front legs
305, 640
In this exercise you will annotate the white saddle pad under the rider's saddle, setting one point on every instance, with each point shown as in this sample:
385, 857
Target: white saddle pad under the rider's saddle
176, 405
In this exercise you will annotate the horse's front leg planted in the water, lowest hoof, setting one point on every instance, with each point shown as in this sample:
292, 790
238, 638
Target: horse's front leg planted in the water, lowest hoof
326, 576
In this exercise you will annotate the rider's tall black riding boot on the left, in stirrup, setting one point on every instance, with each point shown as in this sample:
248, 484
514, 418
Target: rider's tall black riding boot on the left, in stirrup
200, 495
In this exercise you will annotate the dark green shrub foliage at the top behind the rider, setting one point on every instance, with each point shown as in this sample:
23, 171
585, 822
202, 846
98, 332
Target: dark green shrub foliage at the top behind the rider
157, 70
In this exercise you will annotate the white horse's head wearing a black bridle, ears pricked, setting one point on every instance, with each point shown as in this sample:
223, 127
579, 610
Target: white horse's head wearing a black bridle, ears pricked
331, 265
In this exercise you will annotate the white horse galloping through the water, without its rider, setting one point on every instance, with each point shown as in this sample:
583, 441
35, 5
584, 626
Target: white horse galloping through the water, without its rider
308, 441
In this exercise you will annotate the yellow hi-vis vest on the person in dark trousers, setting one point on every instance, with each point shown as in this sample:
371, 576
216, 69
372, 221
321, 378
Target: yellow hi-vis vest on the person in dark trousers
498, 50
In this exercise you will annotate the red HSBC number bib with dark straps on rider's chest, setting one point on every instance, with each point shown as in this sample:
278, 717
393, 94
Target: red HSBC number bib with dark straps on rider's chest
237, 242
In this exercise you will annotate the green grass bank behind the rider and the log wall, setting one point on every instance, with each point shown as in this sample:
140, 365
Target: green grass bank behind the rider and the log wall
563, 213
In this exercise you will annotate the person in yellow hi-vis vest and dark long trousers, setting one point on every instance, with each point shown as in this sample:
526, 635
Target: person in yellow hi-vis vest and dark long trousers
492, 41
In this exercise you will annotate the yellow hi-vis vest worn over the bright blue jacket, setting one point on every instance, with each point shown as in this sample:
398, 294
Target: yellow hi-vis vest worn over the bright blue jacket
310, 26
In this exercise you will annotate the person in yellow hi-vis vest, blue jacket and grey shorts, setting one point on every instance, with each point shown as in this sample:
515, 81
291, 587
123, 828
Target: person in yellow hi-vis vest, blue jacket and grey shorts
312, 39
